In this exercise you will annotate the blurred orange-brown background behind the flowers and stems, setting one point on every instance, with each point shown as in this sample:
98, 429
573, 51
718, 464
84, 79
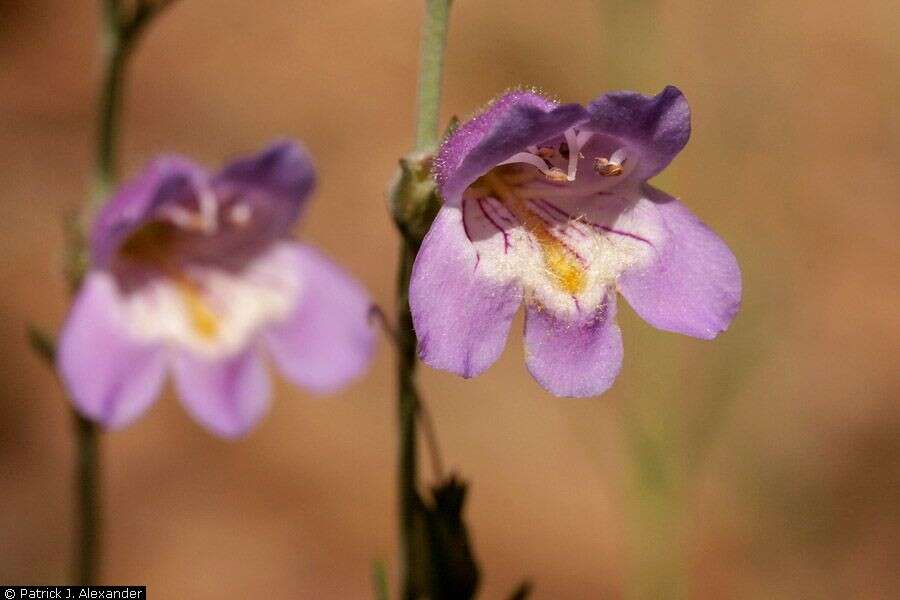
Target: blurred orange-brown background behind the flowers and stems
765, 463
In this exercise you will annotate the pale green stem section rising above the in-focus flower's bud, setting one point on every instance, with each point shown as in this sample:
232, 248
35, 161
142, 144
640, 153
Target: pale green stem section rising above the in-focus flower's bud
431, 68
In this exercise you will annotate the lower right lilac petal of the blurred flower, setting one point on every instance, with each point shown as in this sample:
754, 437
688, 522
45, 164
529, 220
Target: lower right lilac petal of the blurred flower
327, 341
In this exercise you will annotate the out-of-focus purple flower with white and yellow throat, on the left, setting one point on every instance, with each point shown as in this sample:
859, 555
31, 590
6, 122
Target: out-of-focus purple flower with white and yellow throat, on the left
197, 274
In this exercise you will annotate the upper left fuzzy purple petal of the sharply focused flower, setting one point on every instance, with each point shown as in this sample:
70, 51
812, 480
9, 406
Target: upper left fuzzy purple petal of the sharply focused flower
510, 124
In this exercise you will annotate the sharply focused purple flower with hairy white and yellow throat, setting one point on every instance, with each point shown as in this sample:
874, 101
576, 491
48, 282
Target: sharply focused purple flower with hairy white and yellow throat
548, 204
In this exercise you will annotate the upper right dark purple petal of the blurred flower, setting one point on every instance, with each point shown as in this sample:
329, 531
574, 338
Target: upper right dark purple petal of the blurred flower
281, 177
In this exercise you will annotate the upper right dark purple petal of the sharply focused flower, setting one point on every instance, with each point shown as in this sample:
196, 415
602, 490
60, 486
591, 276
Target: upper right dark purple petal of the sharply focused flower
658, 126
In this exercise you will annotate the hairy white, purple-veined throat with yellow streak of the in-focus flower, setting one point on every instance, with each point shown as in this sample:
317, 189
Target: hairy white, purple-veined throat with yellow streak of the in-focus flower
565, 238
